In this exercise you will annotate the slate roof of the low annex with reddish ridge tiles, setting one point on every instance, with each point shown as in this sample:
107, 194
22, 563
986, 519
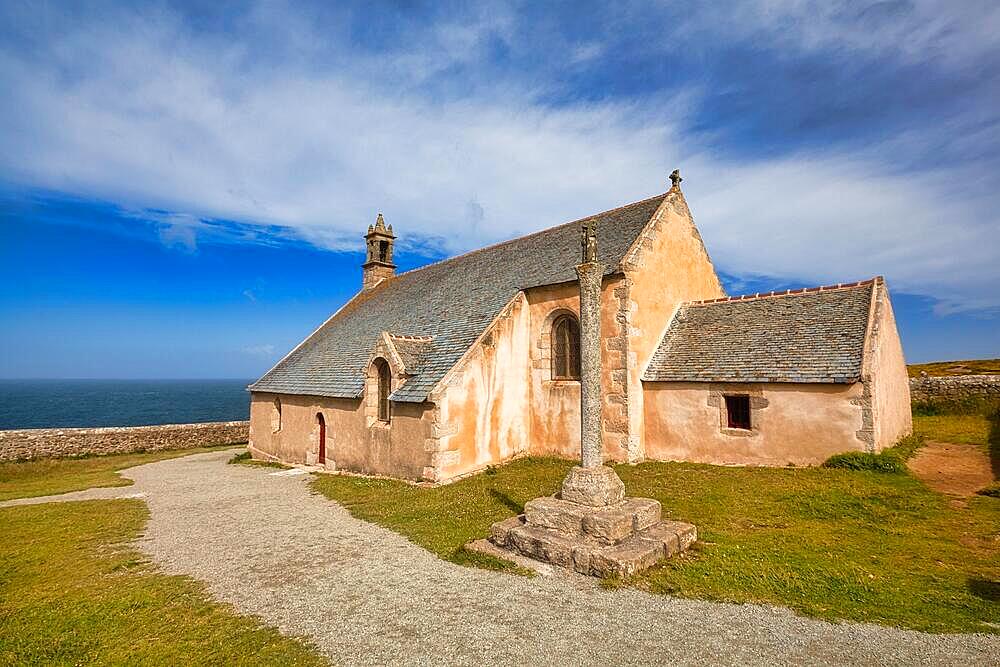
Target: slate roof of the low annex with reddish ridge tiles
814, 335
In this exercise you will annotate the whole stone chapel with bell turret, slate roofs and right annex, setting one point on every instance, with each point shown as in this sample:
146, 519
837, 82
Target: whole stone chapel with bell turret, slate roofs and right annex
439, 372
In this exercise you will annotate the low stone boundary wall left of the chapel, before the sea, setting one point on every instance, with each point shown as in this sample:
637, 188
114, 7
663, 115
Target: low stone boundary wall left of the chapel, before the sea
38, 443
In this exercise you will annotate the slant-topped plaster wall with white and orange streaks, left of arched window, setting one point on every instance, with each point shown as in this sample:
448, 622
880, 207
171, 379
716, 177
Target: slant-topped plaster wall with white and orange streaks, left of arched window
483, 412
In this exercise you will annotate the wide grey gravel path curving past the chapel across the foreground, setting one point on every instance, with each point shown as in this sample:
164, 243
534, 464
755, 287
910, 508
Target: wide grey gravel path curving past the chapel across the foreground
365, 595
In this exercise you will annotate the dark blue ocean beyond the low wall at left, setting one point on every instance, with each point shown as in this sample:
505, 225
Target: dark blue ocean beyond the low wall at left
67, 403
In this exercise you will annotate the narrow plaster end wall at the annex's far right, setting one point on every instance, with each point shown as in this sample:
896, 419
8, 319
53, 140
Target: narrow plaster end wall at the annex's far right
887, 368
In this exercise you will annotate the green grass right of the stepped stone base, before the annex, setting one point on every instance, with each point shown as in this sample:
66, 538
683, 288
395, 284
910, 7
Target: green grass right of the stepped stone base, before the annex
835, 544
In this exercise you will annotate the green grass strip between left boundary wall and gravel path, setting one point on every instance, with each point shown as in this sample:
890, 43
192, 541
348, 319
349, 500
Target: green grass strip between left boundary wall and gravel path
43, 477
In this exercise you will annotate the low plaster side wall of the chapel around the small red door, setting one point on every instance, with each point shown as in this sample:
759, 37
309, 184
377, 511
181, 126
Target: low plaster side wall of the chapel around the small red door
353, 444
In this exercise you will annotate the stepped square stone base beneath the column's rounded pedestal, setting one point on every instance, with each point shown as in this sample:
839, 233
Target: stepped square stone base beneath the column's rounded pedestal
617, 539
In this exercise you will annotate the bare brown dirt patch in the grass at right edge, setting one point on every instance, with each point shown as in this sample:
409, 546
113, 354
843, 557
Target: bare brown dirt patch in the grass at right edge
957, 469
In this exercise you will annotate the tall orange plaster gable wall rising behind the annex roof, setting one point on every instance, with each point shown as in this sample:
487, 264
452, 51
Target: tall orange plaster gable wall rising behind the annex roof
667, 265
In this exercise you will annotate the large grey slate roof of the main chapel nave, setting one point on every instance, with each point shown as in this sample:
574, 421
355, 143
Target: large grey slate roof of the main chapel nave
452, 302
